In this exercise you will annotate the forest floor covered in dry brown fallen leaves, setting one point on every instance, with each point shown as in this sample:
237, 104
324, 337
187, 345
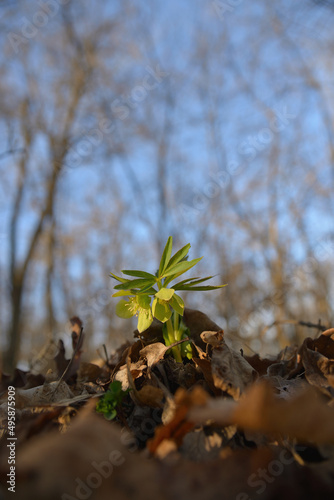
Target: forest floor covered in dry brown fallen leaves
221, 425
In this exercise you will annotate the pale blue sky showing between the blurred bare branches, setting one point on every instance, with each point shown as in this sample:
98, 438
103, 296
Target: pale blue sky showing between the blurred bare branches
249, 71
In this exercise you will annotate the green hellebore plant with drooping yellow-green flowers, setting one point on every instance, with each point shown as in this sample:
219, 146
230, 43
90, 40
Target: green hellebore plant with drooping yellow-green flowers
167, 305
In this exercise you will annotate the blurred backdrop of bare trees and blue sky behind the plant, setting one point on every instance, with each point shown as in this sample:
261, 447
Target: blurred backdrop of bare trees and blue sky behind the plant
124, 123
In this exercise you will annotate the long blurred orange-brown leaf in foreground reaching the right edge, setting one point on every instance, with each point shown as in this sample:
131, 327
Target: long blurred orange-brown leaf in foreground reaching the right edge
306, 417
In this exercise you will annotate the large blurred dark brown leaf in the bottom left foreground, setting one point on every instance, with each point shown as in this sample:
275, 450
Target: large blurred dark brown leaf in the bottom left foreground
89, 461
